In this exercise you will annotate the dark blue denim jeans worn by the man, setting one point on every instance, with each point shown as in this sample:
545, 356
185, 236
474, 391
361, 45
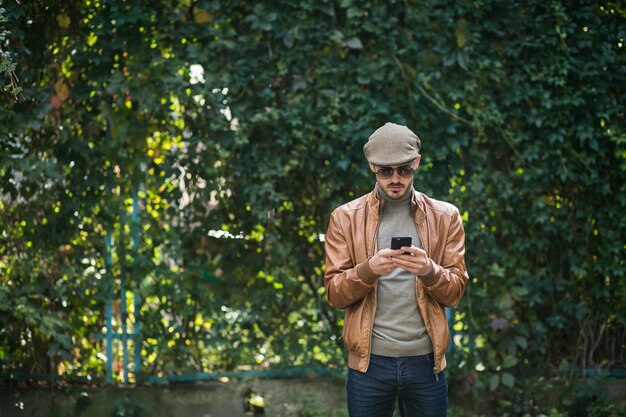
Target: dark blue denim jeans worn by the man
409, 379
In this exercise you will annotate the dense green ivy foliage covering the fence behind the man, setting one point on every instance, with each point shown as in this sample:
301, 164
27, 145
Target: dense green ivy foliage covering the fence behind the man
239, 125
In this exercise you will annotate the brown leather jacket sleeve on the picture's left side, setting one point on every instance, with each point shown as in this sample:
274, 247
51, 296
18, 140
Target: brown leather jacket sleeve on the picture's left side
343, 285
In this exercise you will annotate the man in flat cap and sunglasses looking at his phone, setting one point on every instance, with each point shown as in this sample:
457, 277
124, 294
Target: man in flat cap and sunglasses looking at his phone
395, 325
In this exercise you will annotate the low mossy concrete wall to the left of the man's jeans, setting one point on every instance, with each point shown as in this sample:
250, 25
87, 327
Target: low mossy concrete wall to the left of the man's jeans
282, 398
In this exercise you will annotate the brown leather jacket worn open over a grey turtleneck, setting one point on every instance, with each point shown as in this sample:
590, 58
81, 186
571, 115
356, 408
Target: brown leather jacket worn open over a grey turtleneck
351, 241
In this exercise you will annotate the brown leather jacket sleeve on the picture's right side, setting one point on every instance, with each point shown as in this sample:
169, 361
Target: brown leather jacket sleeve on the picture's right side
446, 282
